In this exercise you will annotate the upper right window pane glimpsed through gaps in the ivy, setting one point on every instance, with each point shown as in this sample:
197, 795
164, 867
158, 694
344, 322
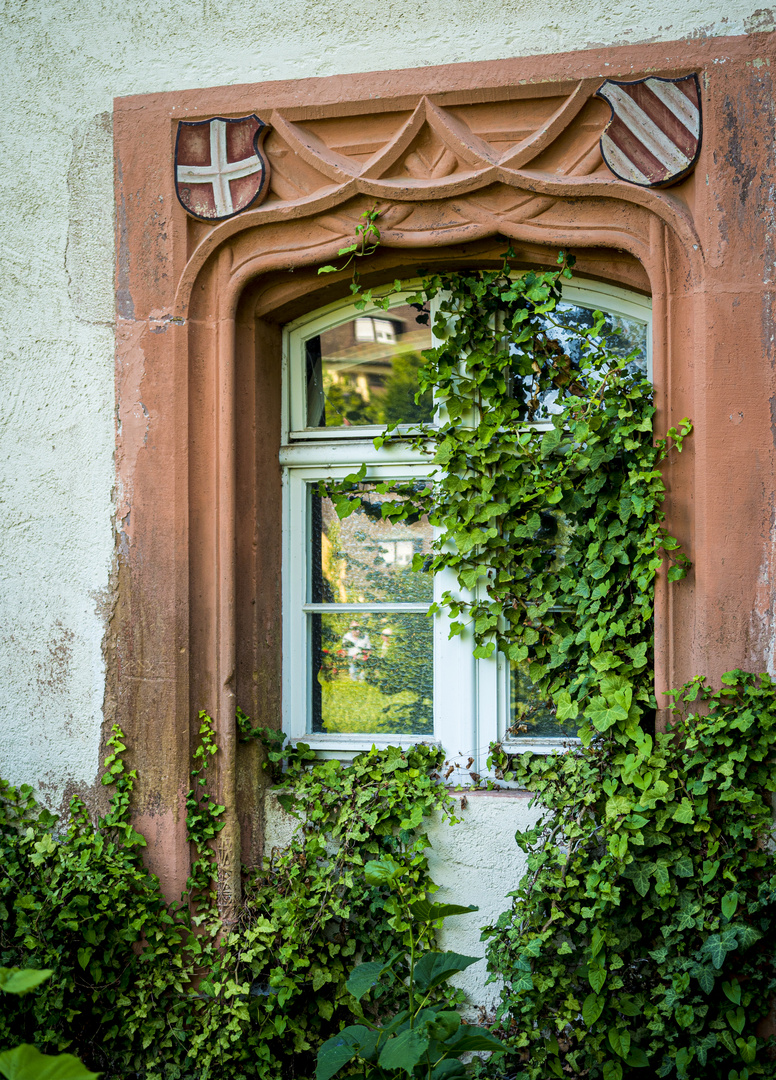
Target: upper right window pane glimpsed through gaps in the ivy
622, 335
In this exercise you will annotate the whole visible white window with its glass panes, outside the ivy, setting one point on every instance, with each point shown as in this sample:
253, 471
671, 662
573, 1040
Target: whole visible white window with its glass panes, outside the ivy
363, 661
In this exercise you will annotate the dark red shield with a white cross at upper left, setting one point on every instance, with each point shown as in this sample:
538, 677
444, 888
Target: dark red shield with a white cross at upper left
220, 168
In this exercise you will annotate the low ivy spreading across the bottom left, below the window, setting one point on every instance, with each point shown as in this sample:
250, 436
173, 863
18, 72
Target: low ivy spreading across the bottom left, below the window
152, 991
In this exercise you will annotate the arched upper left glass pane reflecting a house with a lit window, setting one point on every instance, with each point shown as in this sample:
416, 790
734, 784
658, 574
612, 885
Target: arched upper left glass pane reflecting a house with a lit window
366, 371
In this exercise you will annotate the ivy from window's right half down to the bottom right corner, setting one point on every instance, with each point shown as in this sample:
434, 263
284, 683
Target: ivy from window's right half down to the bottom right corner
636, 944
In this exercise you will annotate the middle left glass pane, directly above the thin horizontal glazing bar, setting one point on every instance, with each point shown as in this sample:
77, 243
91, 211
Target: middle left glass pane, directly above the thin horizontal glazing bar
366, 559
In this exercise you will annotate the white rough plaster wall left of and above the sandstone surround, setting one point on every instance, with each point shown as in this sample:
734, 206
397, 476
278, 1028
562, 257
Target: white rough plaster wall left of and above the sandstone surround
62, 62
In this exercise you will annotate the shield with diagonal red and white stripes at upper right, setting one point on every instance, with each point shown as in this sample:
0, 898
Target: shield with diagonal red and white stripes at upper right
654, 139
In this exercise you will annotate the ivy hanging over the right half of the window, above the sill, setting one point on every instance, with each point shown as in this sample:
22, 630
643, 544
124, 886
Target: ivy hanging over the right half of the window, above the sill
546, 488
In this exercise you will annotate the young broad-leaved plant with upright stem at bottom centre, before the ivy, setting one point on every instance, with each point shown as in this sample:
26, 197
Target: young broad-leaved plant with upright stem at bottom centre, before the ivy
426, 1039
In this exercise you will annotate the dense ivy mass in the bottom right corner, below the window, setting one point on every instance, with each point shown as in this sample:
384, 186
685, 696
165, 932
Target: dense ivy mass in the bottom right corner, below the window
643, 933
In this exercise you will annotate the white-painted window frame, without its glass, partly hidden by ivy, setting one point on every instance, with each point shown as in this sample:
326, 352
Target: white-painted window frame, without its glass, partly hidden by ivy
471, 697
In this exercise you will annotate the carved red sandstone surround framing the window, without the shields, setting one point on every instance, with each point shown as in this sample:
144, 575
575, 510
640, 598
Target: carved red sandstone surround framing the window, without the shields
458, 158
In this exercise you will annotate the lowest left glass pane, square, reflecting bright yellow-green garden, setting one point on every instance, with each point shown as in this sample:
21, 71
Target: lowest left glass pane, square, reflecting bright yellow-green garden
373, 673
